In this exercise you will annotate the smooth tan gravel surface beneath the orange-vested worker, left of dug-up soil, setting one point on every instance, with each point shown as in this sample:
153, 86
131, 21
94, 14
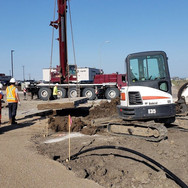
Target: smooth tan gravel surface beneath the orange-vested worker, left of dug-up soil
20, 163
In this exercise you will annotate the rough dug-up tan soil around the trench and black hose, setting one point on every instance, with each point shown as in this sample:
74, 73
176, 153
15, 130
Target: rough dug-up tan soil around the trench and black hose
111, 167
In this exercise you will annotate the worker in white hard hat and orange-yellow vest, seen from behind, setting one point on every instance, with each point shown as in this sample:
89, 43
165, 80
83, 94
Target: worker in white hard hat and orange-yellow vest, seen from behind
13, 100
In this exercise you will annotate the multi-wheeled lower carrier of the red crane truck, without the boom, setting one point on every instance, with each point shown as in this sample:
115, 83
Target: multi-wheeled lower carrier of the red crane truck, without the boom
103, 86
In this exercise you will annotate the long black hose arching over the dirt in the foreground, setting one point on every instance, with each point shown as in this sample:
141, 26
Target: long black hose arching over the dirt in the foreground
169, 173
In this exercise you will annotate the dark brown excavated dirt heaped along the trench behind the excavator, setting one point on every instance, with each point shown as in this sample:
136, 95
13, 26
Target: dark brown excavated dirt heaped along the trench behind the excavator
83, 124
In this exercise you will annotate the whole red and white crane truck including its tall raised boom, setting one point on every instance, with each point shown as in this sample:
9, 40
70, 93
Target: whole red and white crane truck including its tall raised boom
101, 85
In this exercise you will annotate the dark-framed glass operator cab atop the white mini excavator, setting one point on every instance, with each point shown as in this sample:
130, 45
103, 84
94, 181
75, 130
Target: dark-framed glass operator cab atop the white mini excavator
149, 69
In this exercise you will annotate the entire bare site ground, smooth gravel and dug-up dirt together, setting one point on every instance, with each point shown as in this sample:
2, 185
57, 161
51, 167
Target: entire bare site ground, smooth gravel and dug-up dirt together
35, 152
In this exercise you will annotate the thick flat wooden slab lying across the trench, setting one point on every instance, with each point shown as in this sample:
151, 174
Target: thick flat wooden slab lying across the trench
61, 103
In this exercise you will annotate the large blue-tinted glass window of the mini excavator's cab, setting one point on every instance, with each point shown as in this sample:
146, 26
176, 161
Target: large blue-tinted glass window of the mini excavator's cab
146, 68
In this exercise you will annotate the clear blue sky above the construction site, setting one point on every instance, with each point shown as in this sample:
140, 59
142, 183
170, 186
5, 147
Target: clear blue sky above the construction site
130, 26
